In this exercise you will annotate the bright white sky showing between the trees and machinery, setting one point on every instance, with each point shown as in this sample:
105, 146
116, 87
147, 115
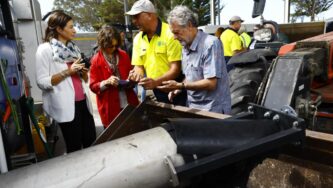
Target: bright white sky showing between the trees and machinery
274, 10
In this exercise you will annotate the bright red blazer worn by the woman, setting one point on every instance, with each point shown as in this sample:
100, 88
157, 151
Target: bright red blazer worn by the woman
108, 100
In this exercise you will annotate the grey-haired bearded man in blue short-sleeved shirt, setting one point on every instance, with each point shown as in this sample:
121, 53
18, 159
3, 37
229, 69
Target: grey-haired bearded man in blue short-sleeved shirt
206, 78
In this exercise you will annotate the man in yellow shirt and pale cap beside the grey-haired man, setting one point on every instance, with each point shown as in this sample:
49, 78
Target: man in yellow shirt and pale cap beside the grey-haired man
156, 53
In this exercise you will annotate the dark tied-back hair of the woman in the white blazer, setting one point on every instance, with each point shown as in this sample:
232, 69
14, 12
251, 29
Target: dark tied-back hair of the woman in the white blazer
57, 19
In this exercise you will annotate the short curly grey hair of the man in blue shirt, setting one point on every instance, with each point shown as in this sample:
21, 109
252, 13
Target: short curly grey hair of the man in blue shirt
183, 16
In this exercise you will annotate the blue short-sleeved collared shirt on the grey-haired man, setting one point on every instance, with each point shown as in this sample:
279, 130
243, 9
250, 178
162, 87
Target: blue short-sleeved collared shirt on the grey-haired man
202, 60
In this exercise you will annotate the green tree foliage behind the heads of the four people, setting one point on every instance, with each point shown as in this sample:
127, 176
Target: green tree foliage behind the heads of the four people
89, 15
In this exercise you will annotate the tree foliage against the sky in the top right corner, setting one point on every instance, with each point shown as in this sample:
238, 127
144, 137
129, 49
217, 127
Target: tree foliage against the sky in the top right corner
309, 8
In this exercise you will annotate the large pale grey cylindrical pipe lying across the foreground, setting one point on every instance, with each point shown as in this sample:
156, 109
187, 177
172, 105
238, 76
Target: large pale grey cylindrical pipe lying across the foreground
134, 161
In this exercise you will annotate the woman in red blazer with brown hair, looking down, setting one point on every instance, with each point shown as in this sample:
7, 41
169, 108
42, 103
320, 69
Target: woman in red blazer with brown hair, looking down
108, 76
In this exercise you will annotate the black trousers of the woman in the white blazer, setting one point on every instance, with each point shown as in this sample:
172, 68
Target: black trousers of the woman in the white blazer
80, 132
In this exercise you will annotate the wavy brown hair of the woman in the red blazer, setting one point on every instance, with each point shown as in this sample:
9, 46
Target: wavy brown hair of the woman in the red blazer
105, 36
